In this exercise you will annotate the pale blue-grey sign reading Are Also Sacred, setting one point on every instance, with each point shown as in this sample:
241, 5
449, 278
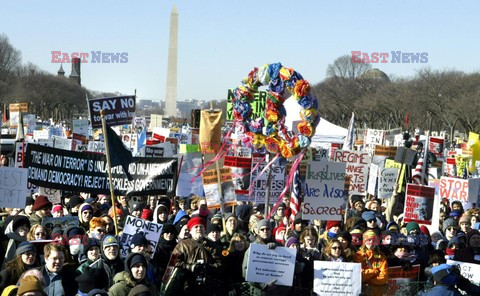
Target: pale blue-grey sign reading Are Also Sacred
325, 193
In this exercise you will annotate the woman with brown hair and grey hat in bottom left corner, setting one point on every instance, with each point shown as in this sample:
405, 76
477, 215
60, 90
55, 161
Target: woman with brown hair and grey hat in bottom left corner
26, 258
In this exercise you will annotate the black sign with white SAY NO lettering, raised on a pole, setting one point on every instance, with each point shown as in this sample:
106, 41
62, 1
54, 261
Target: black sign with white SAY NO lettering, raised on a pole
118, 110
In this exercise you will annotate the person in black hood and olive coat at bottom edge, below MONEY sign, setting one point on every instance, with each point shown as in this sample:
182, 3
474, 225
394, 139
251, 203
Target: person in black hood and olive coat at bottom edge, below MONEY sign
135, 273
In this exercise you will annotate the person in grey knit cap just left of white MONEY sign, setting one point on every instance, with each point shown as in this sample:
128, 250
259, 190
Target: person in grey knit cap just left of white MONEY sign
110, 257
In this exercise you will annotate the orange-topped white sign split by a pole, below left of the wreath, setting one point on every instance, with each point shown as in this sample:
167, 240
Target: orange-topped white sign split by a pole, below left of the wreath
210, 185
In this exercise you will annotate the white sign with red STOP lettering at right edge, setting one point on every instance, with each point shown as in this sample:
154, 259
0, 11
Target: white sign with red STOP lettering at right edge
464, 190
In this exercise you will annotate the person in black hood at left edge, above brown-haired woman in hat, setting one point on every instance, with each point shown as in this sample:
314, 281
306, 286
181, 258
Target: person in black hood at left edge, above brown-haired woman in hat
16, 231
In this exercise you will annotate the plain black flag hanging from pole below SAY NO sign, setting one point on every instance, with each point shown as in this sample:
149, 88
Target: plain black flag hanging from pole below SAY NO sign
119, 154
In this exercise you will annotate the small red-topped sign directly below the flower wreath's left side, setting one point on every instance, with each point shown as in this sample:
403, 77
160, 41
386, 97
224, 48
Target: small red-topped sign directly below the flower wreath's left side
241, 167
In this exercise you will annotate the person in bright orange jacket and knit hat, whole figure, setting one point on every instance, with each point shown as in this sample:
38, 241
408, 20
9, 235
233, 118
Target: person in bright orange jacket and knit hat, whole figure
374, 263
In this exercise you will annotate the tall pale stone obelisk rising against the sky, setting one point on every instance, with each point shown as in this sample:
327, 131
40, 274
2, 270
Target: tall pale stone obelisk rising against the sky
171, 96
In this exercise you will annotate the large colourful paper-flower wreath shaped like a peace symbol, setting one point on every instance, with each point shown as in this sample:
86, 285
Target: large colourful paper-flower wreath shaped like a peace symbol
277, 139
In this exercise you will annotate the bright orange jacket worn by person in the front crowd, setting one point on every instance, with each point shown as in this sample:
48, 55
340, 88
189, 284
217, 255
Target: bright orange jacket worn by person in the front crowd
374, 267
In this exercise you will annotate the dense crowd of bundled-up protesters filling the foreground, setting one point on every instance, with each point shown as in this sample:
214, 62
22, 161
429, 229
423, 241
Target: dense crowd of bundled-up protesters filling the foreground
210, 251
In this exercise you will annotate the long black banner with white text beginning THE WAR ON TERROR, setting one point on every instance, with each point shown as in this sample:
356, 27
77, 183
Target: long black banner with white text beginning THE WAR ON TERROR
87, 172
